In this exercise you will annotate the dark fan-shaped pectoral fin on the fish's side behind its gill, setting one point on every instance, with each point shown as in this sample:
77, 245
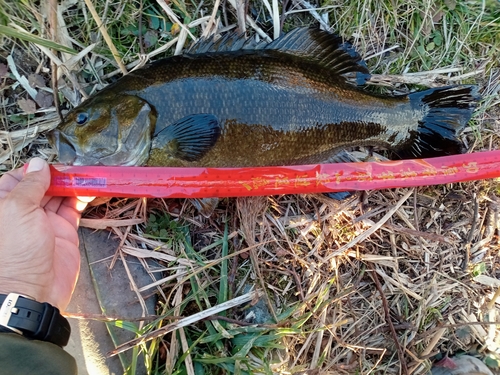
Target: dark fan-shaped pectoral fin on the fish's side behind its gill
189, 138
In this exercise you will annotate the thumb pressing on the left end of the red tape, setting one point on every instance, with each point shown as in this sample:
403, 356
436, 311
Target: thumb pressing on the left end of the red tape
31, 189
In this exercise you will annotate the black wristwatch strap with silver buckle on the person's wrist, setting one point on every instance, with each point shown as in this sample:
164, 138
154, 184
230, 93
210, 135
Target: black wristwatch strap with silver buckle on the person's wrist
34, 320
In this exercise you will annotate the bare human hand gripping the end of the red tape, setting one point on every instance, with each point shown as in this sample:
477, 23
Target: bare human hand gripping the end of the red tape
39, 254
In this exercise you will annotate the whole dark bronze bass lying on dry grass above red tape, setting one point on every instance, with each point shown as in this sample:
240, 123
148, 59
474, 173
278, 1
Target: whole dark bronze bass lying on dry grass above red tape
235, 102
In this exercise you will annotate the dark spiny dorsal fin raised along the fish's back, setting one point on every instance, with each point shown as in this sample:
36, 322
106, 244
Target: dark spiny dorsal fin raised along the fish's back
328, 49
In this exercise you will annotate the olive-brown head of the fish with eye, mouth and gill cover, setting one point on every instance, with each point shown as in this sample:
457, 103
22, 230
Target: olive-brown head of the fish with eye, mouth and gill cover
106, 130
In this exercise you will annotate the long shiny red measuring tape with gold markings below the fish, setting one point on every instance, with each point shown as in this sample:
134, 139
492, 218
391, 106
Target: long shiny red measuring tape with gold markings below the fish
236, 182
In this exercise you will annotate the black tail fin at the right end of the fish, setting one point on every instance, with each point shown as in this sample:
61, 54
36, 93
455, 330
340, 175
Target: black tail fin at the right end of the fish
449, 109
